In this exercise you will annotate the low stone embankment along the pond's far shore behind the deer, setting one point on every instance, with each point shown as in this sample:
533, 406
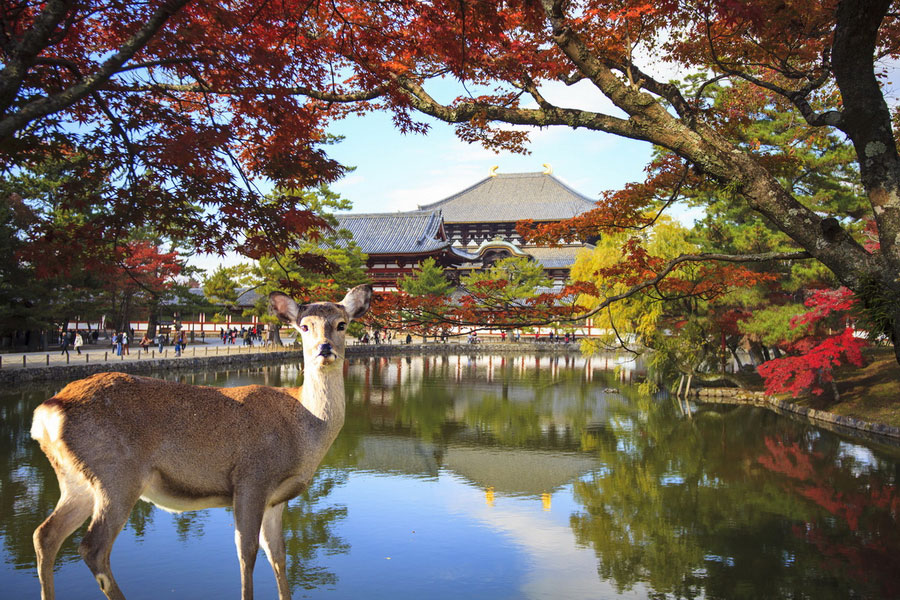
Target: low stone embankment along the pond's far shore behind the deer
73, 371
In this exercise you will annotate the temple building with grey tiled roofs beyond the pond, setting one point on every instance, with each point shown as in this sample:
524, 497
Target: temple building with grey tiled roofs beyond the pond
470, 229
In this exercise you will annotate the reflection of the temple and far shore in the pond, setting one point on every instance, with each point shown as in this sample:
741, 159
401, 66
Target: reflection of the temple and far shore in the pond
538, 469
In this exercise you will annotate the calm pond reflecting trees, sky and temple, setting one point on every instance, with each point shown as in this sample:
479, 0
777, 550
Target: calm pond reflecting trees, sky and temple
510, 477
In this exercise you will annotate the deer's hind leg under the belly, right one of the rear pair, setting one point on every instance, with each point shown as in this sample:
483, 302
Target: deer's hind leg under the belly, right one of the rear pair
111, 512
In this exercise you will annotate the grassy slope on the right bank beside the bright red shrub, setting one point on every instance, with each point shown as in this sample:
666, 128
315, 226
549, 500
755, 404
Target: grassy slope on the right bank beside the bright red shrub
870, 394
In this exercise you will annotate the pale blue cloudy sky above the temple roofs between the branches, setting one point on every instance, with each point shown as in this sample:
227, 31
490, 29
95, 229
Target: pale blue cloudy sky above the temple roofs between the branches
397, 172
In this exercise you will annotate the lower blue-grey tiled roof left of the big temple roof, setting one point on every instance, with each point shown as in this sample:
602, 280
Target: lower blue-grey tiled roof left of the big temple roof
395, 233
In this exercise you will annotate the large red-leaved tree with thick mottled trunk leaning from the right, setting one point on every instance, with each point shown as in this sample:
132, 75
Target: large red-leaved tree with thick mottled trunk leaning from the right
817, 59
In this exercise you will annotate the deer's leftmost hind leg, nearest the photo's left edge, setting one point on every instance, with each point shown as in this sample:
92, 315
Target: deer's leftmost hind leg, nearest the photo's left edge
75, 505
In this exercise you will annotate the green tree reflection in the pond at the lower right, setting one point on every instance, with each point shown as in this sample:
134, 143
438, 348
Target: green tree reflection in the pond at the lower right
687, 508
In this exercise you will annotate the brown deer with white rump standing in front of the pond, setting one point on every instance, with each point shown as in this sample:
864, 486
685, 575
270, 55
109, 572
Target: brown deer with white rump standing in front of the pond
114, 438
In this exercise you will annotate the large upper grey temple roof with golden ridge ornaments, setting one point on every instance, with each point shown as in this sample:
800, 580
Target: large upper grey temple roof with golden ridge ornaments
511, 197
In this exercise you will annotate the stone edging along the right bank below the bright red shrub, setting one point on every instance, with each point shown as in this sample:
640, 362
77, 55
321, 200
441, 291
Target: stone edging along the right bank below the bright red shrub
830, 420
